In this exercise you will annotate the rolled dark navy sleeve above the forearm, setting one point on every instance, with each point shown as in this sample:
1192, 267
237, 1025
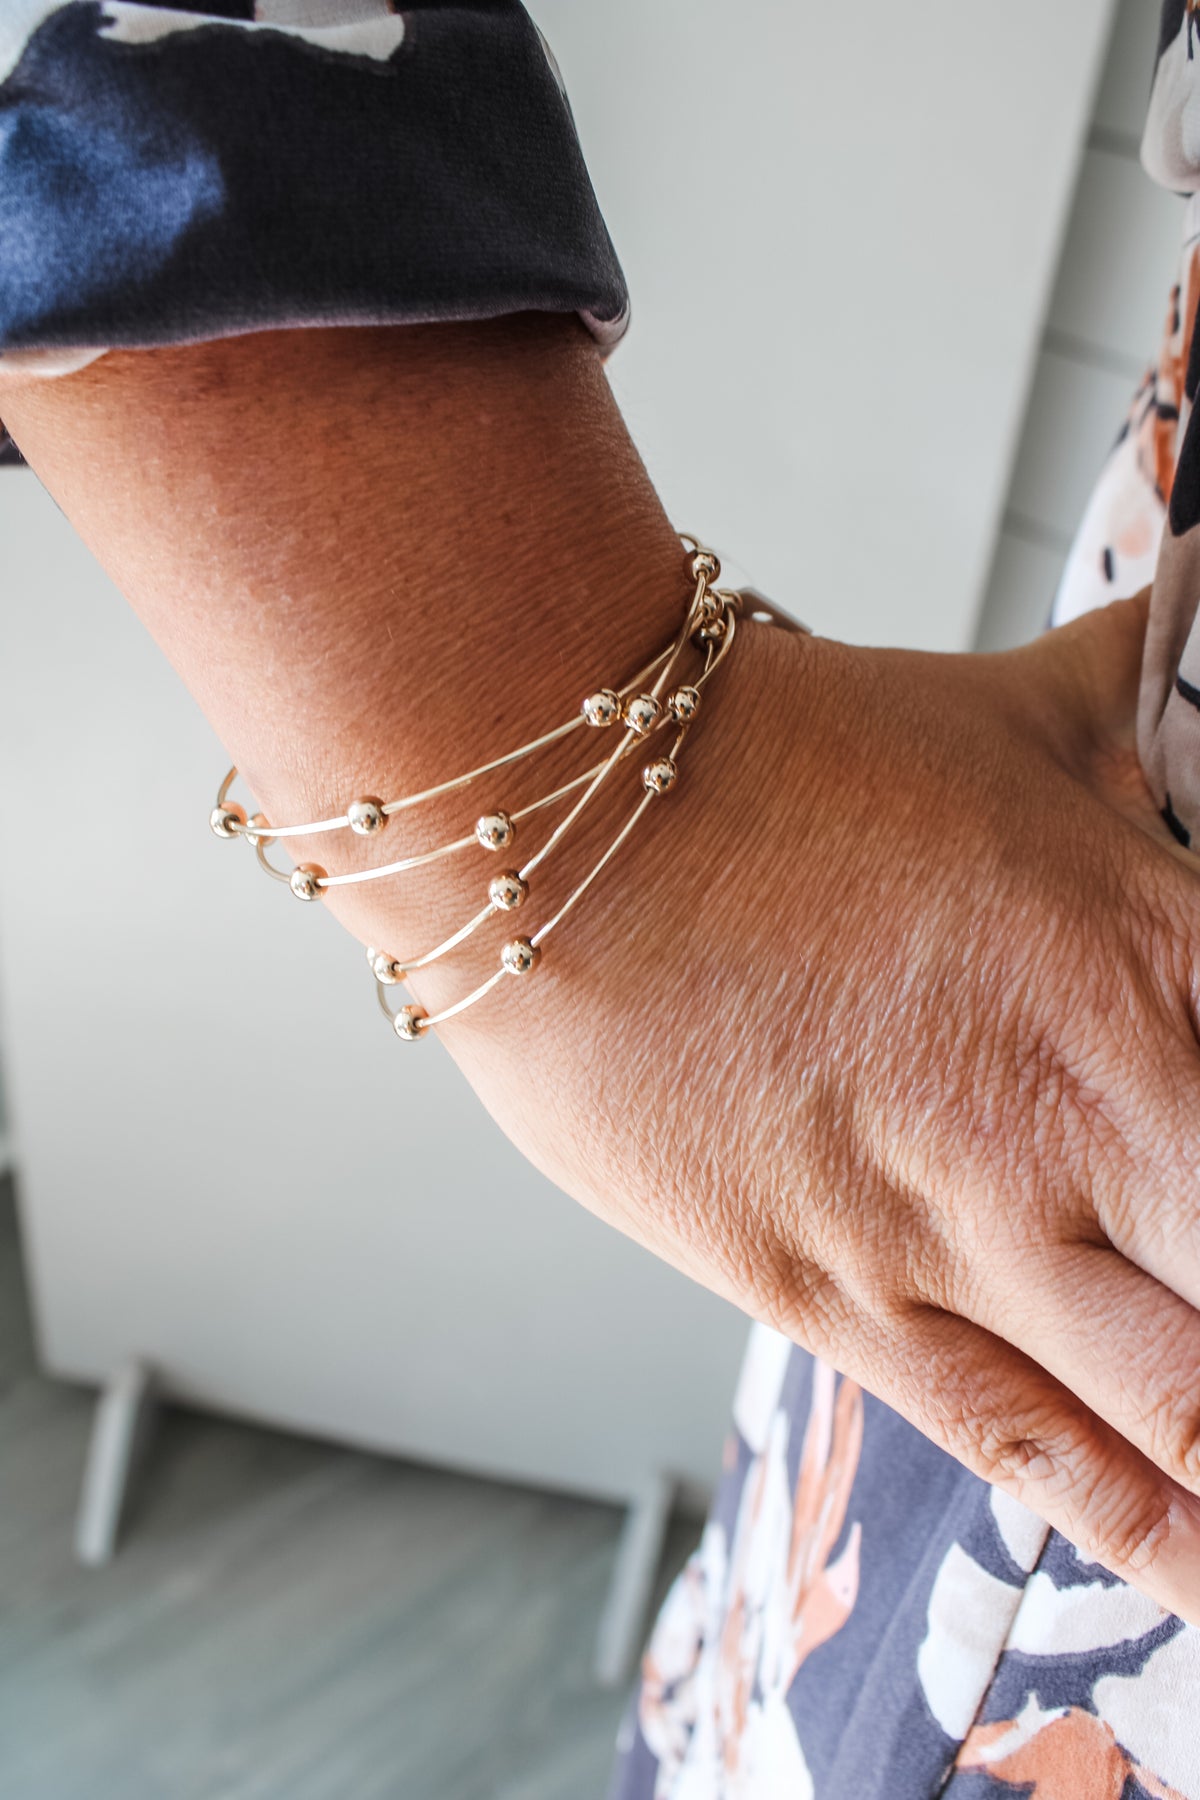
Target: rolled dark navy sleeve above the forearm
170, 174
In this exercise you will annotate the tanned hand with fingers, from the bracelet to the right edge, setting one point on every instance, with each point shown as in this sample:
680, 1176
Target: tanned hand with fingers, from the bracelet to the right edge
886, 1030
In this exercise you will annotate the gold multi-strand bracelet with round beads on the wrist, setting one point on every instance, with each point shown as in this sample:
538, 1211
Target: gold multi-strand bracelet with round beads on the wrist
652, 701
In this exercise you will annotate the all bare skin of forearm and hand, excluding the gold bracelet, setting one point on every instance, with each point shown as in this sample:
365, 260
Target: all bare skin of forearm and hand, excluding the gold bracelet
886, 1021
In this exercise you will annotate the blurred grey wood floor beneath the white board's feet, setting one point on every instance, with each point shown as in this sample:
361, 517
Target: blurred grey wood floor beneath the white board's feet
289, 1621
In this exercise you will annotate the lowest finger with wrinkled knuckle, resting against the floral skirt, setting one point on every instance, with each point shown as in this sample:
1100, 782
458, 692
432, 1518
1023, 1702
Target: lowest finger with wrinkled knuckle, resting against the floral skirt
1016, 1426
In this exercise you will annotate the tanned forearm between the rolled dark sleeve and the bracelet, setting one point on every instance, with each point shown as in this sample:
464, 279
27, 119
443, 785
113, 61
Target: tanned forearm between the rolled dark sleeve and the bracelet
375, 557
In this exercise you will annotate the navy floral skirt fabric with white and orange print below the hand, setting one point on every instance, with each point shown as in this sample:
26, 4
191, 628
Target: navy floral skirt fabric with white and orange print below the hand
864, 1617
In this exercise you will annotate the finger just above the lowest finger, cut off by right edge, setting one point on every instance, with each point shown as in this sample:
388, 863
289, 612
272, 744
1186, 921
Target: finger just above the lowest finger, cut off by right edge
1127, 1347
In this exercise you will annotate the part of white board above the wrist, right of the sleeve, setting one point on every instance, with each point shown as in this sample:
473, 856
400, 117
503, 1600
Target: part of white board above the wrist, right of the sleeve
839, 226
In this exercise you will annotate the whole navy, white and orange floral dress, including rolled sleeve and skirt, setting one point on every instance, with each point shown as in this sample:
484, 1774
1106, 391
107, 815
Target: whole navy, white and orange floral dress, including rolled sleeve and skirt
863, 1617
